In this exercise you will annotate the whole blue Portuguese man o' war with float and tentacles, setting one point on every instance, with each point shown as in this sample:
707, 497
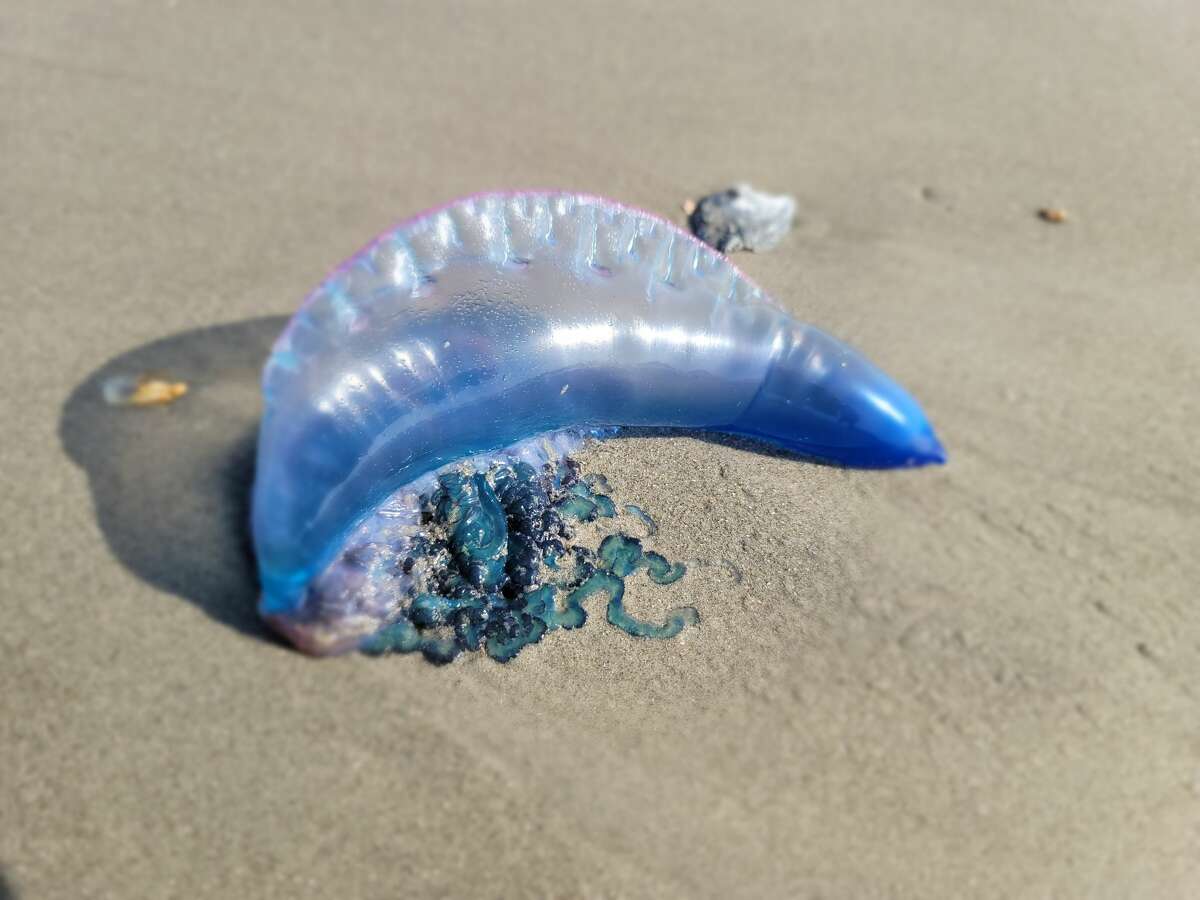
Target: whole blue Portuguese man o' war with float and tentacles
413, 487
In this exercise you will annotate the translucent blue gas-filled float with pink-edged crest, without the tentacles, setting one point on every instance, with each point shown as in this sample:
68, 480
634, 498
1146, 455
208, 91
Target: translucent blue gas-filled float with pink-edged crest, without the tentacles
501, 317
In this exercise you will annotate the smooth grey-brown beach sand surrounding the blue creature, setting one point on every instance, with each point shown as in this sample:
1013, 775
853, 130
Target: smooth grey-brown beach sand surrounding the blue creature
976, 681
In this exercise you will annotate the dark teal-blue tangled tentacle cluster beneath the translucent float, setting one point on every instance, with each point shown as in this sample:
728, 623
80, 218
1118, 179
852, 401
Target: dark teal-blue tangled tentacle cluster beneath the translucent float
496, 566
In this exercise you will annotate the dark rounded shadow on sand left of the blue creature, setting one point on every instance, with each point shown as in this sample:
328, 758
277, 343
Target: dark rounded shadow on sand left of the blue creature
171, 485
